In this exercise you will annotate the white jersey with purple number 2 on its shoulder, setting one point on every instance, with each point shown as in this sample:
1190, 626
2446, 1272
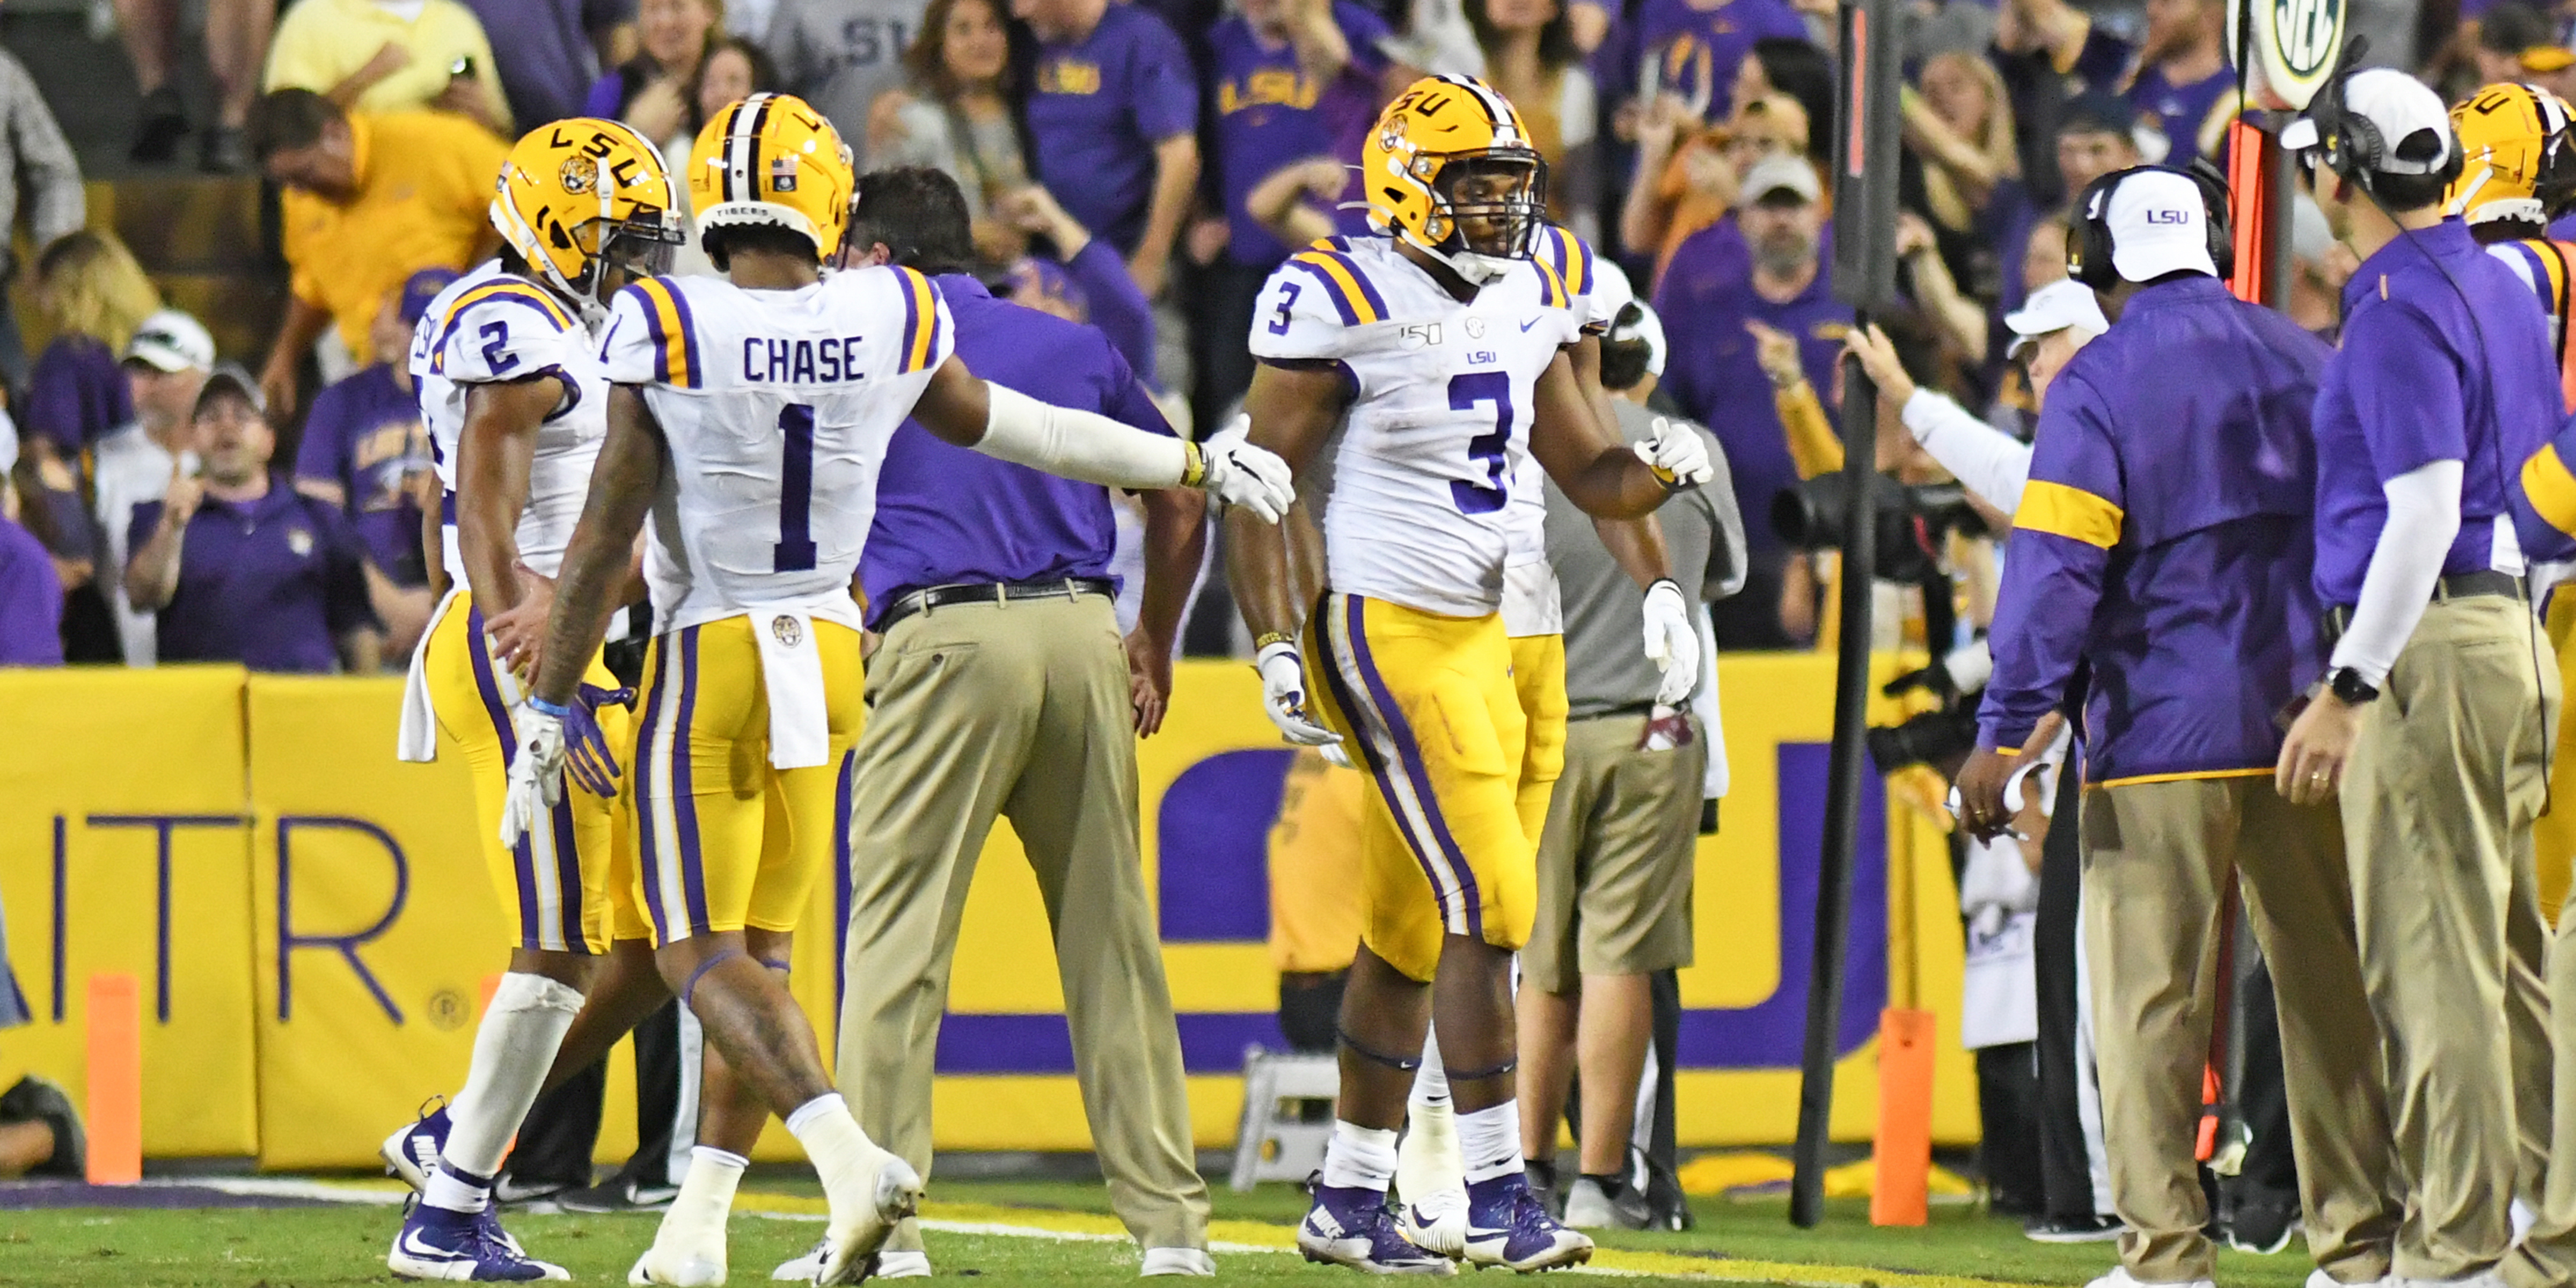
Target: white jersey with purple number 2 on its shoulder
493, 328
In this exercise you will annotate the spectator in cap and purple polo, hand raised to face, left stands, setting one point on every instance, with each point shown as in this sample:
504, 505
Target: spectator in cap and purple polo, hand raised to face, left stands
243, 568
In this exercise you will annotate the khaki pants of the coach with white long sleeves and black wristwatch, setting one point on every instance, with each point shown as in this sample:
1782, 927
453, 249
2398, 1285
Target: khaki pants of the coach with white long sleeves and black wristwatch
2438, 802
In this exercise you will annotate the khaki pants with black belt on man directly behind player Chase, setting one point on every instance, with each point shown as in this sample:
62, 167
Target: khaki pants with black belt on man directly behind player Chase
1014, 712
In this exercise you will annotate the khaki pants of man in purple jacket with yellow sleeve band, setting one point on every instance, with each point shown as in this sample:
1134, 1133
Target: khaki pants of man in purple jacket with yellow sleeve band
2155, 893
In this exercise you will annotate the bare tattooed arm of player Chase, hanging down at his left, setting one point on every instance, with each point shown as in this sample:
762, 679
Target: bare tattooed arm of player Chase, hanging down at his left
586, 591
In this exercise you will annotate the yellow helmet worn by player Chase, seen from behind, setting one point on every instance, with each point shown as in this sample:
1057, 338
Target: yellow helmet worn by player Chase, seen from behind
774, 161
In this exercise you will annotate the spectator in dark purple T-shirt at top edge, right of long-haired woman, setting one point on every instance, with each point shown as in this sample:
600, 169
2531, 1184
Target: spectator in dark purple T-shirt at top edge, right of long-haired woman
1114, 122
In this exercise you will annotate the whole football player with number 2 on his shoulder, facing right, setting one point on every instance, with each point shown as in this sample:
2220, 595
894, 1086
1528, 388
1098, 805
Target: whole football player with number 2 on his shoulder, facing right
516, 408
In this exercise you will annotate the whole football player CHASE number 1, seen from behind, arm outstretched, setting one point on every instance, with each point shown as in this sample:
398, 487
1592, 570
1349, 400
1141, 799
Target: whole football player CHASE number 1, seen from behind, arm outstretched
748, 421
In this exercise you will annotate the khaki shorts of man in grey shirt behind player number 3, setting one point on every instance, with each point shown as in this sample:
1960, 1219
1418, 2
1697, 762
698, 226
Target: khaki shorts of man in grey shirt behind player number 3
1616, 859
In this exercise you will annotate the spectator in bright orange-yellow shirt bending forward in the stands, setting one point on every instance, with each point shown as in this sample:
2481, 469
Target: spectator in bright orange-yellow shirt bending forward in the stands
370, 202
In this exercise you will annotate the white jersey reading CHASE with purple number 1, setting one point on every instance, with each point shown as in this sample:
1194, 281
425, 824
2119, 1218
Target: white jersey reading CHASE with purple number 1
777, 408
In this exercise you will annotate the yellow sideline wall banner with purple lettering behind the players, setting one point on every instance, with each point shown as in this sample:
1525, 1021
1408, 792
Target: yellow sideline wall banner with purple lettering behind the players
316, 929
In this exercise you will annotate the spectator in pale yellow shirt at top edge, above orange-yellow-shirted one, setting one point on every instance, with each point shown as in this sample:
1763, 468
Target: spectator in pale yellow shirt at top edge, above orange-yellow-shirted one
390, 55
